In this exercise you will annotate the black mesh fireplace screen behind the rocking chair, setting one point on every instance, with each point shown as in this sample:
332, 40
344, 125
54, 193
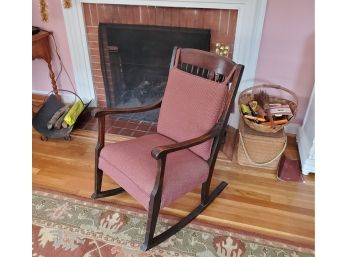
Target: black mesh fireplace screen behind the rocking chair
135, 61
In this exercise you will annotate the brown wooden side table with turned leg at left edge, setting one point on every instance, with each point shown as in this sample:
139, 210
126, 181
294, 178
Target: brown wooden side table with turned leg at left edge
42, 49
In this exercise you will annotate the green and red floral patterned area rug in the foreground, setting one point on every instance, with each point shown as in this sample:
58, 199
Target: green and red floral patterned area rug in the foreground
71, 226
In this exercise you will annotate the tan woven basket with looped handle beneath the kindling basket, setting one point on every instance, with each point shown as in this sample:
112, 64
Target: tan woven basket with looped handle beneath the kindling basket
260, 150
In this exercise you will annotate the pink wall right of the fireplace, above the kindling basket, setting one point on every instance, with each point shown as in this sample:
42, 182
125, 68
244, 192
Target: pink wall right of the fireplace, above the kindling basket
286, 54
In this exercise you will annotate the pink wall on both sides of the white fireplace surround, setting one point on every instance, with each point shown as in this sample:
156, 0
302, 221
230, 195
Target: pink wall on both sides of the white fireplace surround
286, 54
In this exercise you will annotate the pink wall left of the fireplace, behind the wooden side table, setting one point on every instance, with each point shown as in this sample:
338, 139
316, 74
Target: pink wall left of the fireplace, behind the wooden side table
40, 78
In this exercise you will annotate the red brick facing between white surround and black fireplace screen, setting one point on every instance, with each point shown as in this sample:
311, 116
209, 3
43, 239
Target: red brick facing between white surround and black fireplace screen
220, 22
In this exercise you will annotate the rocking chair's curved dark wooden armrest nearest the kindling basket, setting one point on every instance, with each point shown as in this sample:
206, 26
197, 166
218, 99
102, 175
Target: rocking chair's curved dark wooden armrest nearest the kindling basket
161, 151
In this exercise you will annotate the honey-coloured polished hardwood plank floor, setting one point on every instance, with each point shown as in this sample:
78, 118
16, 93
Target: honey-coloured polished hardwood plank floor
254, 201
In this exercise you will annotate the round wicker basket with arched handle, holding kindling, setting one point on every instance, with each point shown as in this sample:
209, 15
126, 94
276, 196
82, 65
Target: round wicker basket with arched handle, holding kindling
248, 95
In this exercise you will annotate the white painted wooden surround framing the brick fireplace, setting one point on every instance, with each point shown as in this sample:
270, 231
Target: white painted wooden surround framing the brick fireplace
250, 19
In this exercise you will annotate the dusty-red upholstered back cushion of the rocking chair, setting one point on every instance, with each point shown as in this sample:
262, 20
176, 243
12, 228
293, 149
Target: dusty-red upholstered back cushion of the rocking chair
191, 106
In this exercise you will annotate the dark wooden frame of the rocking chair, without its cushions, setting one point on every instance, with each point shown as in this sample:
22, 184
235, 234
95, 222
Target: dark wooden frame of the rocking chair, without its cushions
209, 66
